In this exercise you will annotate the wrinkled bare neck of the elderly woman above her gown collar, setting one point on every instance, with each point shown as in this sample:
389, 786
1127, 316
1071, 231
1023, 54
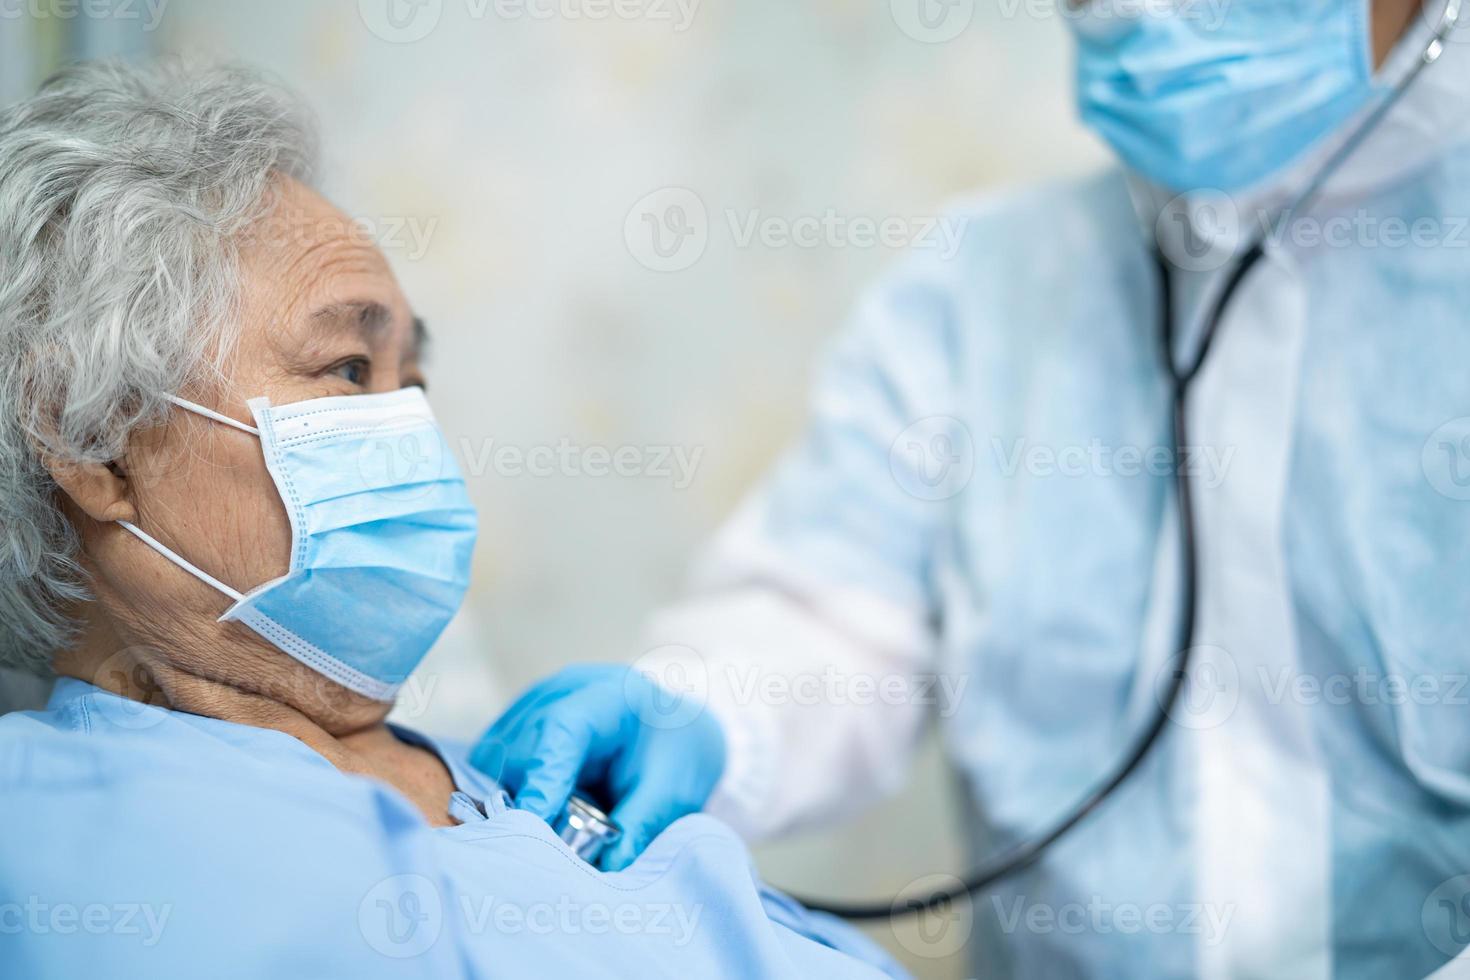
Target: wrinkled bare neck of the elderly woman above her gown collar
346, 729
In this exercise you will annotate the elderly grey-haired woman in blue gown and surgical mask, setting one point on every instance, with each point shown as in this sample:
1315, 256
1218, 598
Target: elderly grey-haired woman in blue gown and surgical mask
232, 530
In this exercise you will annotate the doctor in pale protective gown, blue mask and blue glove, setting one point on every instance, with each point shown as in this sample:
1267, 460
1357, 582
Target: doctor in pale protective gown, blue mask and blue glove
983, 525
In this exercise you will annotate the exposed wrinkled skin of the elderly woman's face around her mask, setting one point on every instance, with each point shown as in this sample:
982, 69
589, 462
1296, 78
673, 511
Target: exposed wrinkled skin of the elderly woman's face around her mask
321, 315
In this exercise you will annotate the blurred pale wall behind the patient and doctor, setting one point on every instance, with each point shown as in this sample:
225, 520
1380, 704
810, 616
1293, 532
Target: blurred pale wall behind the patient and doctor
515, 158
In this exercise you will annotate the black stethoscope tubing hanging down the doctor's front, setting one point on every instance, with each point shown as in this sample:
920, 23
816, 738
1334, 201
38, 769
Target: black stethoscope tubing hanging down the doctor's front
1183, 378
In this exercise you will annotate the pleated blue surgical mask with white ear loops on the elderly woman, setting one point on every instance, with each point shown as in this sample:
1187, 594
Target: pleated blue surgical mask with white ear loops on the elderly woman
381, 536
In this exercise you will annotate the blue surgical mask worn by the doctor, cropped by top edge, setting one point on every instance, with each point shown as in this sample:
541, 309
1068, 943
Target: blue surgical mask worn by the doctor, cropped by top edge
1219, 93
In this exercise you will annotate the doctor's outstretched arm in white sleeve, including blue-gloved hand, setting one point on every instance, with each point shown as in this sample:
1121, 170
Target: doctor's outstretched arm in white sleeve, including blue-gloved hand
797, 660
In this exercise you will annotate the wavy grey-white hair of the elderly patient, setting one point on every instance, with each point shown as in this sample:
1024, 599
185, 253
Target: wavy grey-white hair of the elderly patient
124, 193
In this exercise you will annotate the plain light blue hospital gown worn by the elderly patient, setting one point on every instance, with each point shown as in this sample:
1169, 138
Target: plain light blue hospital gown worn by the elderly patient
143, 843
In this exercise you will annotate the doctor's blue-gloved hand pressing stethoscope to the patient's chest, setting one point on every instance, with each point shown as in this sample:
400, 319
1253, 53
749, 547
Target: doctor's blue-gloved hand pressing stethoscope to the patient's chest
649, 753
